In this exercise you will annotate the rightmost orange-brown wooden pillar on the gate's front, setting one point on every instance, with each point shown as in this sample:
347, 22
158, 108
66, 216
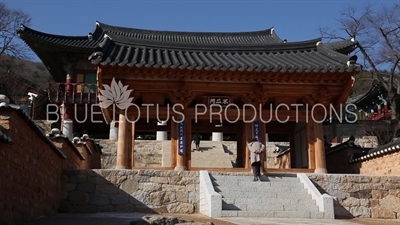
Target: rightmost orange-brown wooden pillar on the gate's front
320, 161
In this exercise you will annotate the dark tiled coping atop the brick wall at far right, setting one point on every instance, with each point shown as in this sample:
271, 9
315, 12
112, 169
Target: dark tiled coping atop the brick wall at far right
379, 151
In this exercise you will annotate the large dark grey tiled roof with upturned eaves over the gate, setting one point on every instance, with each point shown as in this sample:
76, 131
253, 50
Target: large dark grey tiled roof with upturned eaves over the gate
251, 51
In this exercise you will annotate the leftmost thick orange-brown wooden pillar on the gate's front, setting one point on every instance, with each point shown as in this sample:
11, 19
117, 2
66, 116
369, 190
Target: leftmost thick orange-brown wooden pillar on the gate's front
122, 154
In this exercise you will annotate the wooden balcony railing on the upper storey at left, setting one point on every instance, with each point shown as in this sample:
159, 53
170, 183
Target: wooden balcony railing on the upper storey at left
72, 93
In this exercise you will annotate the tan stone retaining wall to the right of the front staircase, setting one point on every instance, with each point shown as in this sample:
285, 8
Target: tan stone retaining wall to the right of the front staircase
362, 196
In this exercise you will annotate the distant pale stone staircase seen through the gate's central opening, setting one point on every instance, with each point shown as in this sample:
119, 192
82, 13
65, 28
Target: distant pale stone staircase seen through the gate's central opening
212, 155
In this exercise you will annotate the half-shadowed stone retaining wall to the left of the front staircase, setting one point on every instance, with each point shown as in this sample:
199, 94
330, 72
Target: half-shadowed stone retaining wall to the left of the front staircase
90, 191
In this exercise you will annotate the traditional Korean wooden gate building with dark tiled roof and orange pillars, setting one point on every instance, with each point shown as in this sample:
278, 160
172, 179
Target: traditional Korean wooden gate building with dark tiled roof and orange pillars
192, 70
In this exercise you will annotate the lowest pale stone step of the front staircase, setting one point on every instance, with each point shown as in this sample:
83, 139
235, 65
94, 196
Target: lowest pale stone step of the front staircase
273, 214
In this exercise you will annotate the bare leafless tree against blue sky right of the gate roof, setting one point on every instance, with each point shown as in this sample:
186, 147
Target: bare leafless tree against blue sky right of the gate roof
377, 31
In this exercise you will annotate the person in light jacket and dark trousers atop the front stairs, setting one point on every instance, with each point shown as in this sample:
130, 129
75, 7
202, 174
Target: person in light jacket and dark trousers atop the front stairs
256, 149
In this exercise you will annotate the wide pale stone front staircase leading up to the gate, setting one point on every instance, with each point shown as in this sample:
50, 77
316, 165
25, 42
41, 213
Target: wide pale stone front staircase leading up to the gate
278, 196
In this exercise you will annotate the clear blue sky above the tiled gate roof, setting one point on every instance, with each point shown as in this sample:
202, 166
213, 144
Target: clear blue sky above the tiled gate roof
294, 20
